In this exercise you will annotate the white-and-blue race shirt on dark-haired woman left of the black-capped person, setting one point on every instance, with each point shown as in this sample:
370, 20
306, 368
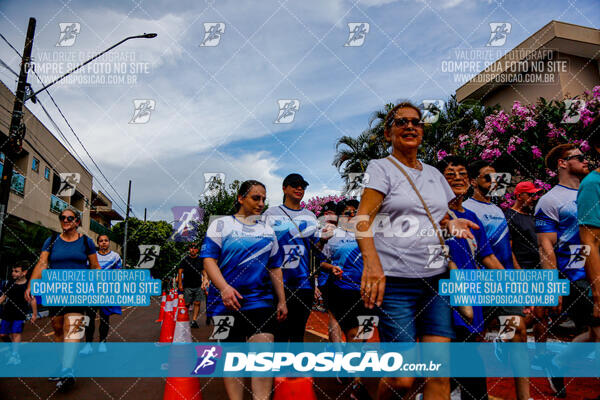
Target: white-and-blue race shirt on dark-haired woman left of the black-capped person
244, 254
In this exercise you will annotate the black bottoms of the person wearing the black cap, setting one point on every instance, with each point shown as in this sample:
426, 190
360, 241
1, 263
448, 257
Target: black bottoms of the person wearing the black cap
299, 303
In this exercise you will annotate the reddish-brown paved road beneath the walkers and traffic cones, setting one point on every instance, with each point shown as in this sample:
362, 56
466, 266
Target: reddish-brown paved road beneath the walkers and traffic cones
137, 325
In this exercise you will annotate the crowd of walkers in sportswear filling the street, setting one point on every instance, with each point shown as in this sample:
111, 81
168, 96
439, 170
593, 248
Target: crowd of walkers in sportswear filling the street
266, 271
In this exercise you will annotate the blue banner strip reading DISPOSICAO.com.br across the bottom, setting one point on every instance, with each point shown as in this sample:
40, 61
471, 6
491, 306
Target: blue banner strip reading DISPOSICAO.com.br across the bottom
309, 359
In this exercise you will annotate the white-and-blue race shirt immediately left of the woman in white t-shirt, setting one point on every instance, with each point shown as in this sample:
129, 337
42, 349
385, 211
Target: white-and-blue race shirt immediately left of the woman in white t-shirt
342, 251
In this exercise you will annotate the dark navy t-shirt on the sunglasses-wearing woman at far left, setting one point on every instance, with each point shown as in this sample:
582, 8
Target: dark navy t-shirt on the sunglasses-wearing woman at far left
69, 255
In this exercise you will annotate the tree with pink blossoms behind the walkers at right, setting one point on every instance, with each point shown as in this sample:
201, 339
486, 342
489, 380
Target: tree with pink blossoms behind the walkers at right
517, 140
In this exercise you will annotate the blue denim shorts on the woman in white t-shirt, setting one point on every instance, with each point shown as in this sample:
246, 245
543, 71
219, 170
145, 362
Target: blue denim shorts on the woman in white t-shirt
412, 308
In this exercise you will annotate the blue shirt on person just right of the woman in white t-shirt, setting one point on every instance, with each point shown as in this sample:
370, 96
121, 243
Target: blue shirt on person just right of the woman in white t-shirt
461, 254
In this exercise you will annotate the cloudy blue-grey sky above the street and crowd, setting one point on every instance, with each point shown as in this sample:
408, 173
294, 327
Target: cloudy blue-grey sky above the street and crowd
214, 106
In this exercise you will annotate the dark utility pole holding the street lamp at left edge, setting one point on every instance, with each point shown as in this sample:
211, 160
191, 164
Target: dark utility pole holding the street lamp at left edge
12, 148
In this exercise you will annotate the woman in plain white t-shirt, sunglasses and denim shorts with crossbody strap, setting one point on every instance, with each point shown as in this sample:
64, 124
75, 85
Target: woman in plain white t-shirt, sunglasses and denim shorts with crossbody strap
402, 254
